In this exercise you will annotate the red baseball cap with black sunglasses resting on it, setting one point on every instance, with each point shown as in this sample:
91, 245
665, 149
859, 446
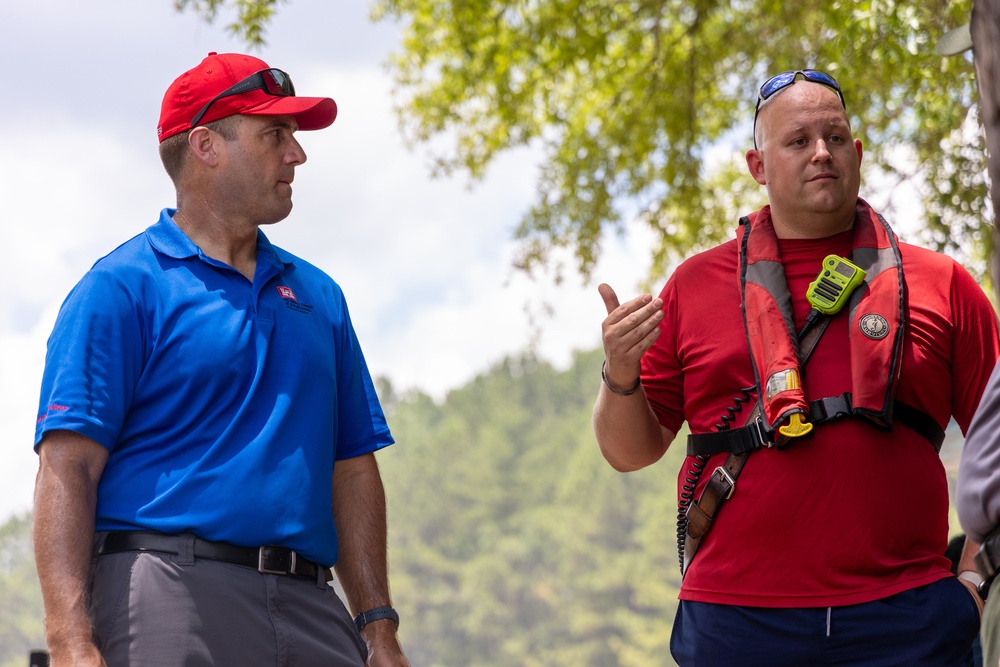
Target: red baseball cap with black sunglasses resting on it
190, 92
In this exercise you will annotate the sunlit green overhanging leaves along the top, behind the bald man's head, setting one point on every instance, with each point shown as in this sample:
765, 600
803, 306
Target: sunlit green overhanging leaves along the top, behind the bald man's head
626, 99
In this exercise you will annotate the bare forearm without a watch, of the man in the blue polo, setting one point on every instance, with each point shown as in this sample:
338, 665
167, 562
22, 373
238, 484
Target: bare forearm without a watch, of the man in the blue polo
63, 537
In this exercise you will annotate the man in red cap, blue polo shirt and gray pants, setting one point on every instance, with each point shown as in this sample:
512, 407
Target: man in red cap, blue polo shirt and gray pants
207, 422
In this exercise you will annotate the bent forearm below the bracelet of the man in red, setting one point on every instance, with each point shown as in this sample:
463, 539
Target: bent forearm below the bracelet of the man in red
627, 431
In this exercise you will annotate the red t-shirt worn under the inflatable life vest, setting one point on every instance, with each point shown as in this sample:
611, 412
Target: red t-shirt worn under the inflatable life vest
850, 514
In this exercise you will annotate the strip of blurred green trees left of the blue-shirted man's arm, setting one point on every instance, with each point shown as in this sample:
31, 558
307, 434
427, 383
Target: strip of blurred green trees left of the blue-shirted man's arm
21, 628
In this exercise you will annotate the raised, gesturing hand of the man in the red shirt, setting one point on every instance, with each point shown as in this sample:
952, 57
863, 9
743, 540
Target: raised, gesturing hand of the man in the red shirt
628, 331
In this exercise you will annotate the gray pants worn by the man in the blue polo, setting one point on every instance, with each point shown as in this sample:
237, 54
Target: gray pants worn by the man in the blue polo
152, 609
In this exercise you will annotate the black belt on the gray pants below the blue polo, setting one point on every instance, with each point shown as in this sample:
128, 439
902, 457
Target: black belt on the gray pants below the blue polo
267, 559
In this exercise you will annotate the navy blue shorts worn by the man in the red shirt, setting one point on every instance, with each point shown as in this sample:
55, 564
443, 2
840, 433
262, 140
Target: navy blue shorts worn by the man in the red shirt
934, 625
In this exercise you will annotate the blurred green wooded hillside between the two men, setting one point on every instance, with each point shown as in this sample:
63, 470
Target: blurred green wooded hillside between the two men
513, 543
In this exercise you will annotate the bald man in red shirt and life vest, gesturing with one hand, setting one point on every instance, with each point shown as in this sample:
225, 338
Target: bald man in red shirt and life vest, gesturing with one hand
830, 546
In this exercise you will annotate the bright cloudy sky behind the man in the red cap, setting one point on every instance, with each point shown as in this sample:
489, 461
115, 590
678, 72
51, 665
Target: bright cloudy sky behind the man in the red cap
425, 263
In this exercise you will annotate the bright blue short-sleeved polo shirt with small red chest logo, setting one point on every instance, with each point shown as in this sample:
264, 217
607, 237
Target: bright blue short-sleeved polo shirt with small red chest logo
223, 403
